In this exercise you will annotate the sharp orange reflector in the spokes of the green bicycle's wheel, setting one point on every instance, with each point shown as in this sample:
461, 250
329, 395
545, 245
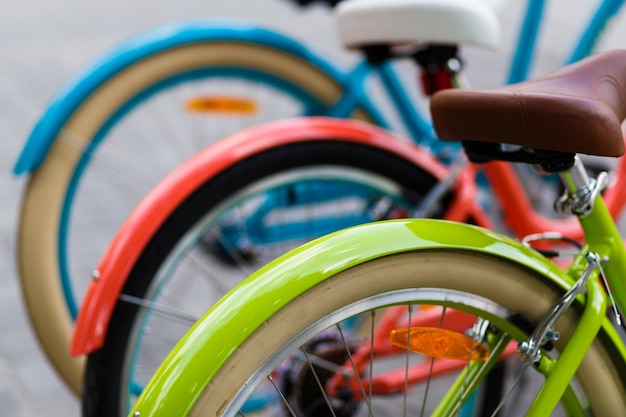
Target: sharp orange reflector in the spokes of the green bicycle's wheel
439, 343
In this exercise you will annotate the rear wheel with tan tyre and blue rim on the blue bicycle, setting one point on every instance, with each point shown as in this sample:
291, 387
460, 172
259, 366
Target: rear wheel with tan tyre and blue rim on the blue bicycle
121, 140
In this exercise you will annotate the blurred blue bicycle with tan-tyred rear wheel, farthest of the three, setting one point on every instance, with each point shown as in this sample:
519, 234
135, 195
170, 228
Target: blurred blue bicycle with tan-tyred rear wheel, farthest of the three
92, 153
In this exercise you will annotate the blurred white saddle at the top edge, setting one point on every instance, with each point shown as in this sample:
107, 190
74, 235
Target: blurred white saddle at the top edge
400, 22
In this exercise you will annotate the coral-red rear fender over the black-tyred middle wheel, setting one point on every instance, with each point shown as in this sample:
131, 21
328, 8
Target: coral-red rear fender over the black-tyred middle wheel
127, 245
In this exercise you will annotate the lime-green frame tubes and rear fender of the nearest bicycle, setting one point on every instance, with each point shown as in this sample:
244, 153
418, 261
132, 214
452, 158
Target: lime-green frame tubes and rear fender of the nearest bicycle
194, 361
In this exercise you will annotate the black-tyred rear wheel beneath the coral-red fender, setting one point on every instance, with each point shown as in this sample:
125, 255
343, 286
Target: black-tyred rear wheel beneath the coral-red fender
233, 224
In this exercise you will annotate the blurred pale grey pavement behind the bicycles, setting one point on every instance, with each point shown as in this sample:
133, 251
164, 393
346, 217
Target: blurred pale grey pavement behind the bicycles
43, 43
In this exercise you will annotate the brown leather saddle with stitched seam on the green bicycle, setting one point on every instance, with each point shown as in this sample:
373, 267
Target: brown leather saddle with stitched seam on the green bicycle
577, 109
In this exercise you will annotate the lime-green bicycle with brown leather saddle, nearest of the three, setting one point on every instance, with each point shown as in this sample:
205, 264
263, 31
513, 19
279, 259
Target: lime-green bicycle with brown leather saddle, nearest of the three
284, 330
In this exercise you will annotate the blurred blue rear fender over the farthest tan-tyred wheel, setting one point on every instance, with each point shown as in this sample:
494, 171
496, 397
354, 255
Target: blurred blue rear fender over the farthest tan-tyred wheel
73, 93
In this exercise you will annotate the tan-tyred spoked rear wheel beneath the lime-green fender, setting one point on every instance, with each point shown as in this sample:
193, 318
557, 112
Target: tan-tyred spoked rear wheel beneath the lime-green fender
308, 344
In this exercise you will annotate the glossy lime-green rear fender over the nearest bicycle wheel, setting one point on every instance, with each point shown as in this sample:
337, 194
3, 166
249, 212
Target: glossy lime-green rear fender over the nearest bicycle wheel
201, 352
